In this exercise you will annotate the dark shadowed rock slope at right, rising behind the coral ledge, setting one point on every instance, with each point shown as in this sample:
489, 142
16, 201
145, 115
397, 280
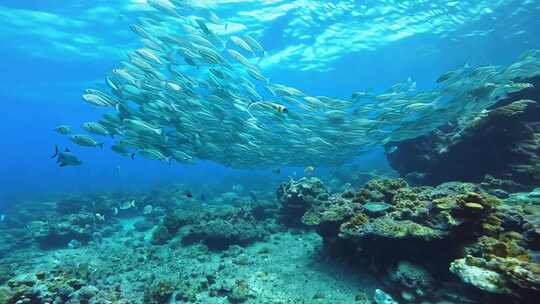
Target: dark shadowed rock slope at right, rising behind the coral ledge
503, 142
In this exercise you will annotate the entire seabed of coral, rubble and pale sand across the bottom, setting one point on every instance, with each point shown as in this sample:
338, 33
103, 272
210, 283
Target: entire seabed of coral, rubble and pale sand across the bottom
453, 243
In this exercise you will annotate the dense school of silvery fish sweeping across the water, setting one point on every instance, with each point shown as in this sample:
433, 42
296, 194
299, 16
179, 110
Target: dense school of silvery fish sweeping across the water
191, 93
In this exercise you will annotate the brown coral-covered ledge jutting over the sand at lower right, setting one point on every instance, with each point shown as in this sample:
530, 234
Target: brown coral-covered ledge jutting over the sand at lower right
485, 241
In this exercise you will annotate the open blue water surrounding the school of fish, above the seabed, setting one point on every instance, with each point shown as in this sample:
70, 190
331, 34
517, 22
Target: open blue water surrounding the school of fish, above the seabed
52, 52
